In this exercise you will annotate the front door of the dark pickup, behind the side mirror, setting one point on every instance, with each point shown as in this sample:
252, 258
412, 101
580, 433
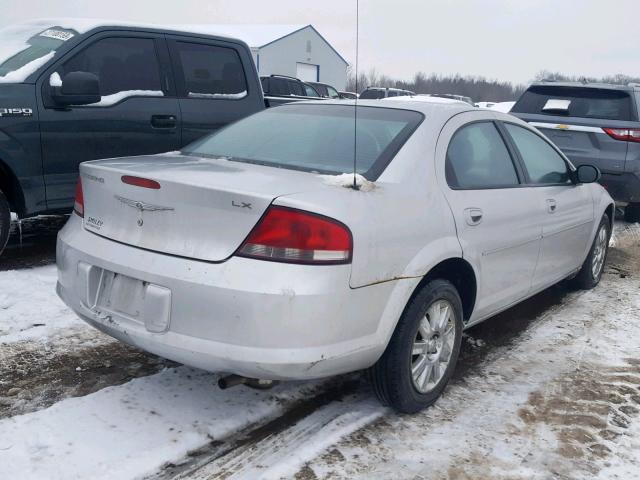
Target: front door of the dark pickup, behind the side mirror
137, 114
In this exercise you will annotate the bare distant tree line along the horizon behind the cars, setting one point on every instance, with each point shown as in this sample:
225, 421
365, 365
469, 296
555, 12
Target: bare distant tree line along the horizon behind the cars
480, 89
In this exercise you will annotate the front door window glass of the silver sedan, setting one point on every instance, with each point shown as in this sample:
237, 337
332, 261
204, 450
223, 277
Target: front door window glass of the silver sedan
543, 163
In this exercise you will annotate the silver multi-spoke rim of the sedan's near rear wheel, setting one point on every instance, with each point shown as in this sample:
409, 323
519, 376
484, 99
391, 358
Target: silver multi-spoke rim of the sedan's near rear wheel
433, 346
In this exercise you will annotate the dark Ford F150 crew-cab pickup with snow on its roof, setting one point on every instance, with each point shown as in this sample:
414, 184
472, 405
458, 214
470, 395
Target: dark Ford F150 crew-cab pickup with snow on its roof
77, 90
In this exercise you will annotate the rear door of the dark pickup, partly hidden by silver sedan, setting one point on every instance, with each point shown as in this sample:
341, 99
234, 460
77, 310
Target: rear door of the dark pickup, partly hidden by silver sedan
212, 84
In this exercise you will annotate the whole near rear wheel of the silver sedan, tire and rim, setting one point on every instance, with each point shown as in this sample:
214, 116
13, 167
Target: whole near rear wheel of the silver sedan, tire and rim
392, 376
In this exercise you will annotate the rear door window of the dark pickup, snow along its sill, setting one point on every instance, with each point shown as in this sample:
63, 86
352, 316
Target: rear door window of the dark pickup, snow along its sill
211, 71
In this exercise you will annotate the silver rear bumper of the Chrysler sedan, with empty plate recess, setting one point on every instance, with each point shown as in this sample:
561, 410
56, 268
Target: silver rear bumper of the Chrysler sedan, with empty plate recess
249, 317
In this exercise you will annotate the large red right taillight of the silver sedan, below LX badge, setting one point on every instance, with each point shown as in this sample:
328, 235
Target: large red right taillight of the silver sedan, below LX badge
294, 236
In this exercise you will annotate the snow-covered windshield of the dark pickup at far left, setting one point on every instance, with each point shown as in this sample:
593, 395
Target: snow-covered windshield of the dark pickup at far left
25, 48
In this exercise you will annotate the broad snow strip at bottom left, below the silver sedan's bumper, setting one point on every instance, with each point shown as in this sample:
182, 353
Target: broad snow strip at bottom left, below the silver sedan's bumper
132, 430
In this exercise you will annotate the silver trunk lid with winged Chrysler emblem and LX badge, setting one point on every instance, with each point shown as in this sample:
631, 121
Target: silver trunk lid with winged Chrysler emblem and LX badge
204, 208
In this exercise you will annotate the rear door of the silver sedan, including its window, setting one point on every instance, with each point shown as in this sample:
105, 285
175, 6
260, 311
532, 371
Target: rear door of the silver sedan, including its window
496, 218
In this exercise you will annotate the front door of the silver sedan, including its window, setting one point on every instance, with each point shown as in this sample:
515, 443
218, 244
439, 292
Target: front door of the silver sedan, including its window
567, 207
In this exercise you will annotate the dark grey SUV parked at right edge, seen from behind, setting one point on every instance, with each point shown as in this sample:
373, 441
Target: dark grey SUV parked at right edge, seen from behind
594, 124
